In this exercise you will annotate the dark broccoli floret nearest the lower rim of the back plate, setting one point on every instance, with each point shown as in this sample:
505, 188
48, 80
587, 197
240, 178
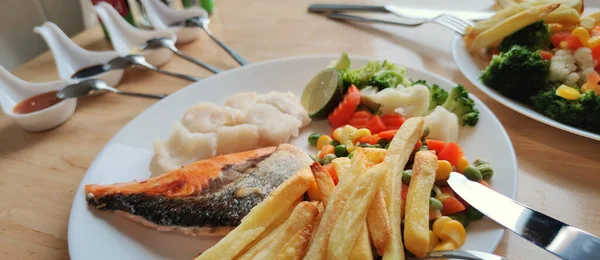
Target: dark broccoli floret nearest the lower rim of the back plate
583, 113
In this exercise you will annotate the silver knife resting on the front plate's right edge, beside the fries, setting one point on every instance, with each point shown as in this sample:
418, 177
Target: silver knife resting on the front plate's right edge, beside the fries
556, 237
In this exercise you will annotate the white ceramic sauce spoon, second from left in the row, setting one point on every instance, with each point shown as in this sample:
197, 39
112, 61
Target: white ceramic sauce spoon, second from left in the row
70, 58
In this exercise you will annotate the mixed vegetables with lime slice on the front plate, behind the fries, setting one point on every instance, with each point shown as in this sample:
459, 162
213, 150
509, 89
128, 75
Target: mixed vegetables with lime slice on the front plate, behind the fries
367, 106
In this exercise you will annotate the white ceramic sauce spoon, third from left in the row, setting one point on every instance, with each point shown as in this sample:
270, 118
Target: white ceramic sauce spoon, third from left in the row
127, 39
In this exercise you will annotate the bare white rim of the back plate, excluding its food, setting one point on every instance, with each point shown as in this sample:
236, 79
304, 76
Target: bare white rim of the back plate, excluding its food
472, 66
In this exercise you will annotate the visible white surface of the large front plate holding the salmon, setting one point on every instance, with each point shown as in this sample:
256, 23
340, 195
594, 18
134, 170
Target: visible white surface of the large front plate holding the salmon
104, 235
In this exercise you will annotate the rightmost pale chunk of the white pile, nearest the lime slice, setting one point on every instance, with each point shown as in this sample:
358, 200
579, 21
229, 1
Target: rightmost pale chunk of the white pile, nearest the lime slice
274, 127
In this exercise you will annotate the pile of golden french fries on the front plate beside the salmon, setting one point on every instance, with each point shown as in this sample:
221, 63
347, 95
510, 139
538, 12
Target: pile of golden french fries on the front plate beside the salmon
363, 211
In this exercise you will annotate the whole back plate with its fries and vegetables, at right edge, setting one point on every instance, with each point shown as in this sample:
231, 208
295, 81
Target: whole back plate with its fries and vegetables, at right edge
542, 60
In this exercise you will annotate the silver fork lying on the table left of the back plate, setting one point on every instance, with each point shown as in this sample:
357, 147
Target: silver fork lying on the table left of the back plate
452, 22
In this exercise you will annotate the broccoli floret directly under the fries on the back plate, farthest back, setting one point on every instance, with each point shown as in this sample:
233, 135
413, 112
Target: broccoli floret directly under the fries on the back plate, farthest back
535, 36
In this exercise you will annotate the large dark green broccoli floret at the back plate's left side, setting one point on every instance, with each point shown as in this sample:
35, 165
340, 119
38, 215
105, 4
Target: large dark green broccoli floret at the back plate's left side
518, 73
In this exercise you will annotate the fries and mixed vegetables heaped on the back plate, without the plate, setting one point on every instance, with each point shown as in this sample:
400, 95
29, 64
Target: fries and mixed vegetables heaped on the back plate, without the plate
550, 64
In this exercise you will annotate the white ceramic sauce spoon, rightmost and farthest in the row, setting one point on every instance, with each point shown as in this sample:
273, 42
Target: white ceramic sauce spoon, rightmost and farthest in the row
163, 17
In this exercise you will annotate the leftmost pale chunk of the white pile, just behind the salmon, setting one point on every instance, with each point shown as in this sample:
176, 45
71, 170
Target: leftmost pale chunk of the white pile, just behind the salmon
184, 147
